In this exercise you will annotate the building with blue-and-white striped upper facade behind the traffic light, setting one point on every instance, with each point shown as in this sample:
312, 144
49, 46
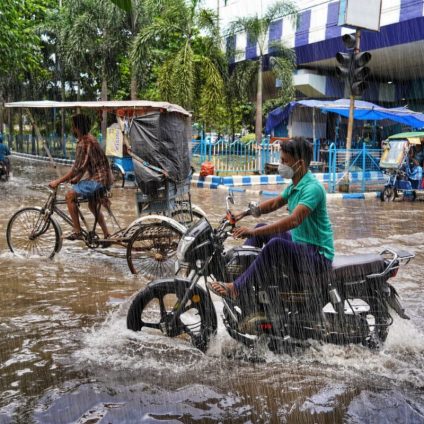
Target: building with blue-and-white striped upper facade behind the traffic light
397, 64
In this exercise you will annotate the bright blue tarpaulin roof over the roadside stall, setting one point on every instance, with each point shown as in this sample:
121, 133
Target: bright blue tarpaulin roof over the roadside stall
363, 111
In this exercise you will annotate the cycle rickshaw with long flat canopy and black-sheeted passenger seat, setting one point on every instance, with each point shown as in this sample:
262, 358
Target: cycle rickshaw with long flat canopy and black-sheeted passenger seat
159, 134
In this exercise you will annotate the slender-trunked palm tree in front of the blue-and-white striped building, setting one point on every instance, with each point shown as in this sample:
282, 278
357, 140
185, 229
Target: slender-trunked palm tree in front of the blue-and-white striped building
256, 28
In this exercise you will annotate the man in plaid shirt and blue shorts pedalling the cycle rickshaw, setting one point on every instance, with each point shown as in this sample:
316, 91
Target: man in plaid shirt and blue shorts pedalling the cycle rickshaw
90, 160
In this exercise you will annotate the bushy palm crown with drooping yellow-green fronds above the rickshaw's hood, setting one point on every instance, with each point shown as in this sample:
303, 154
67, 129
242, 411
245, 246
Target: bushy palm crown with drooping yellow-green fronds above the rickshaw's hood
182, 45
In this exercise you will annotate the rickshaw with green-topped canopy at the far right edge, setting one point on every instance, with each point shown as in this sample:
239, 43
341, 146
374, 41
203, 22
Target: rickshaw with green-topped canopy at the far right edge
403, 176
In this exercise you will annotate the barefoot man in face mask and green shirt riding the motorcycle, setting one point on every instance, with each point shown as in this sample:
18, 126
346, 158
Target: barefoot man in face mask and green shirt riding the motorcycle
300, 242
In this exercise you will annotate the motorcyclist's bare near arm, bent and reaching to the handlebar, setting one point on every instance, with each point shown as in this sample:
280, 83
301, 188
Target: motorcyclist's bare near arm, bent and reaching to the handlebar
284, 224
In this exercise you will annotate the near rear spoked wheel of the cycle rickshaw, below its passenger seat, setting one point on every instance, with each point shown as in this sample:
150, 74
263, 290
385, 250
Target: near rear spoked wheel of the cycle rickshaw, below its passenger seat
152, 249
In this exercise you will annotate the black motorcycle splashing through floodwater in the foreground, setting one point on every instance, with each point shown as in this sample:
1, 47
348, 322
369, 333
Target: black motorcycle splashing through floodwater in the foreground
348, 304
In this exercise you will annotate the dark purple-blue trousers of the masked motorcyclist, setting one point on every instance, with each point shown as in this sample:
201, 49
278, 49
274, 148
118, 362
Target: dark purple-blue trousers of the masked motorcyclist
282, 256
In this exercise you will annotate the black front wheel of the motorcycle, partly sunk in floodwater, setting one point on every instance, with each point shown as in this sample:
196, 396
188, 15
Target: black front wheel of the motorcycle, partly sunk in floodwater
152, 307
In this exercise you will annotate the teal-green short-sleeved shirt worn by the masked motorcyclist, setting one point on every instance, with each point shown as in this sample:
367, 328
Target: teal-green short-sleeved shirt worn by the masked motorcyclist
316, 227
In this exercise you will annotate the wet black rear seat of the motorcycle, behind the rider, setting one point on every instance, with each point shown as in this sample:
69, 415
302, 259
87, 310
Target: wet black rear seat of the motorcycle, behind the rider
351, 267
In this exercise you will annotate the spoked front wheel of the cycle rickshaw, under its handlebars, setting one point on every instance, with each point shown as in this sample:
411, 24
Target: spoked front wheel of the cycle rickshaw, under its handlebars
31, 233
